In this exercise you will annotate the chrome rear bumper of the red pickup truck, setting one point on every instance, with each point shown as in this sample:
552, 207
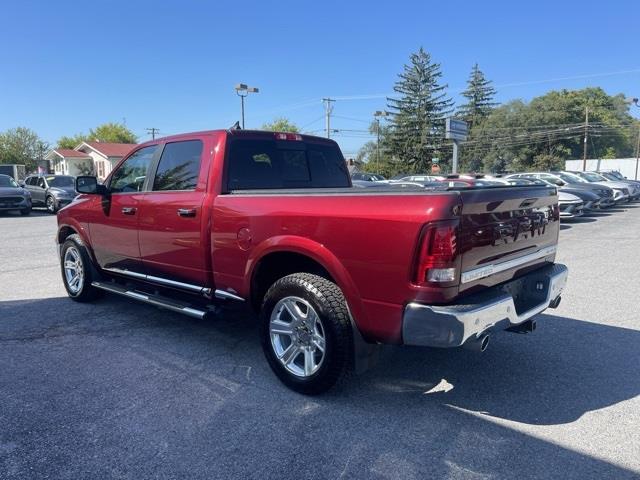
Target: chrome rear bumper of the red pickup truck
496, 308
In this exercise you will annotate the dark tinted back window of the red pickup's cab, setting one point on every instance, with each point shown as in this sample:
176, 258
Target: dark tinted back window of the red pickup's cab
266, 164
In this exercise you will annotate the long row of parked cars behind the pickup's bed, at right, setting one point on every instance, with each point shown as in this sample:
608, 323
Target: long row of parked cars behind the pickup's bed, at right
578, 192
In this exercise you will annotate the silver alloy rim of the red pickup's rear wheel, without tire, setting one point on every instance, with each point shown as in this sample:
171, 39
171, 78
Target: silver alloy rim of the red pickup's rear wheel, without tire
297, 336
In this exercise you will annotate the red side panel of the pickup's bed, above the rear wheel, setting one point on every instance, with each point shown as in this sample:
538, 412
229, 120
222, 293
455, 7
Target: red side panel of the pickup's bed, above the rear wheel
366, 242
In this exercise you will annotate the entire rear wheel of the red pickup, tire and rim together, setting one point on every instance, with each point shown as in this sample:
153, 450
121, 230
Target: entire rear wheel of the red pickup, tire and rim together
306, 332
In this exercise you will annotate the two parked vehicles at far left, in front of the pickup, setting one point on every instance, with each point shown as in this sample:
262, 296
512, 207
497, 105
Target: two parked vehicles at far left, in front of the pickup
49, 191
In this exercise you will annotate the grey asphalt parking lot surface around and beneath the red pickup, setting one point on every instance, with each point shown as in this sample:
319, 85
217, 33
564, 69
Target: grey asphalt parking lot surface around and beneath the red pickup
118, 389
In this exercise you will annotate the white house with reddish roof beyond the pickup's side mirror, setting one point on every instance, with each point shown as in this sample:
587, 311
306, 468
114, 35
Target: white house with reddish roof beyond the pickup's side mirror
96, 157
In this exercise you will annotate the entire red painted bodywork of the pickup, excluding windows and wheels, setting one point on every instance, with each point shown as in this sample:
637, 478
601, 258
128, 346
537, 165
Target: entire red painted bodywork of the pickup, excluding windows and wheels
366, 240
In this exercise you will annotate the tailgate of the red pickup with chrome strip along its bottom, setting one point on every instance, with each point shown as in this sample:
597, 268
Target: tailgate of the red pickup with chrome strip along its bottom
505, 232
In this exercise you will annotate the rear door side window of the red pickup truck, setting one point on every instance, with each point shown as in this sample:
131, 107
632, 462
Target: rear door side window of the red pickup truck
179, 166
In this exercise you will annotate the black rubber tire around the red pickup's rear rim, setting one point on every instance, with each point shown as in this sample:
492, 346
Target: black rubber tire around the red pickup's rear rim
327, 300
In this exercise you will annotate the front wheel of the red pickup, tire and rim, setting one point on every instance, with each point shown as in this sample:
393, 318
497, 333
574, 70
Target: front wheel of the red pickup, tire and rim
77, 270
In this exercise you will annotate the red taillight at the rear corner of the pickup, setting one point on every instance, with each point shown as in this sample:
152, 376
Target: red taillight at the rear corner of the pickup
438, 254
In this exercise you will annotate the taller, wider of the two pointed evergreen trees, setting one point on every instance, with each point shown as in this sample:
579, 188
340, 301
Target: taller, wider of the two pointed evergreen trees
416, 131
